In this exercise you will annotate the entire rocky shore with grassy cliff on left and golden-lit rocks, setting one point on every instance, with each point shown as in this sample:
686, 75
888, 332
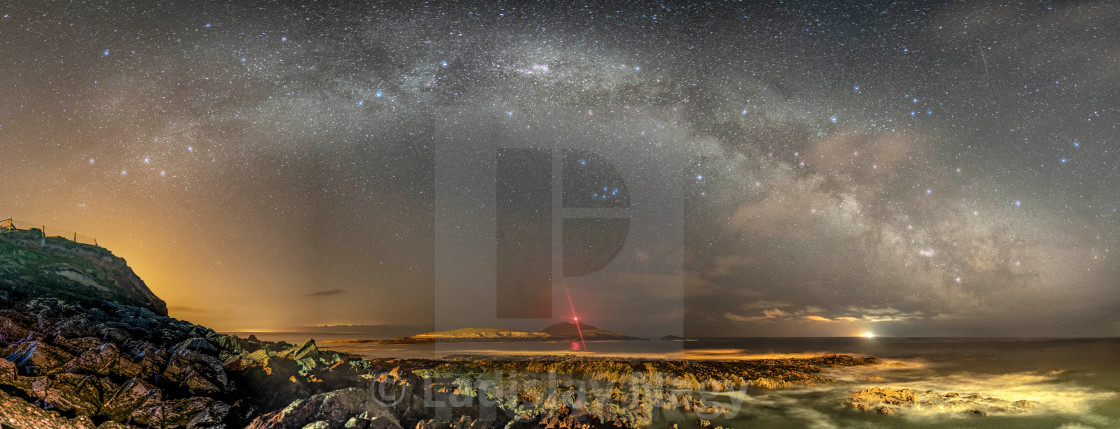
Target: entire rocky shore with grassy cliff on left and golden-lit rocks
85, 344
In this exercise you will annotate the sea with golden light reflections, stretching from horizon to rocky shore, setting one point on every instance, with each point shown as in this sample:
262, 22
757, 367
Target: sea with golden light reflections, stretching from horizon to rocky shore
1068, 383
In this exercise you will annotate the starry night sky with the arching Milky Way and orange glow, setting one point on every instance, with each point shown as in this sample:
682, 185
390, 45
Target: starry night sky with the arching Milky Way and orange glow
904, 169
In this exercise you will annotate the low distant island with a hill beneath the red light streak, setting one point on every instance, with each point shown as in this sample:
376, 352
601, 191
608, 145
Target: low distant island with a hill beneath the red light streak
562, 332
